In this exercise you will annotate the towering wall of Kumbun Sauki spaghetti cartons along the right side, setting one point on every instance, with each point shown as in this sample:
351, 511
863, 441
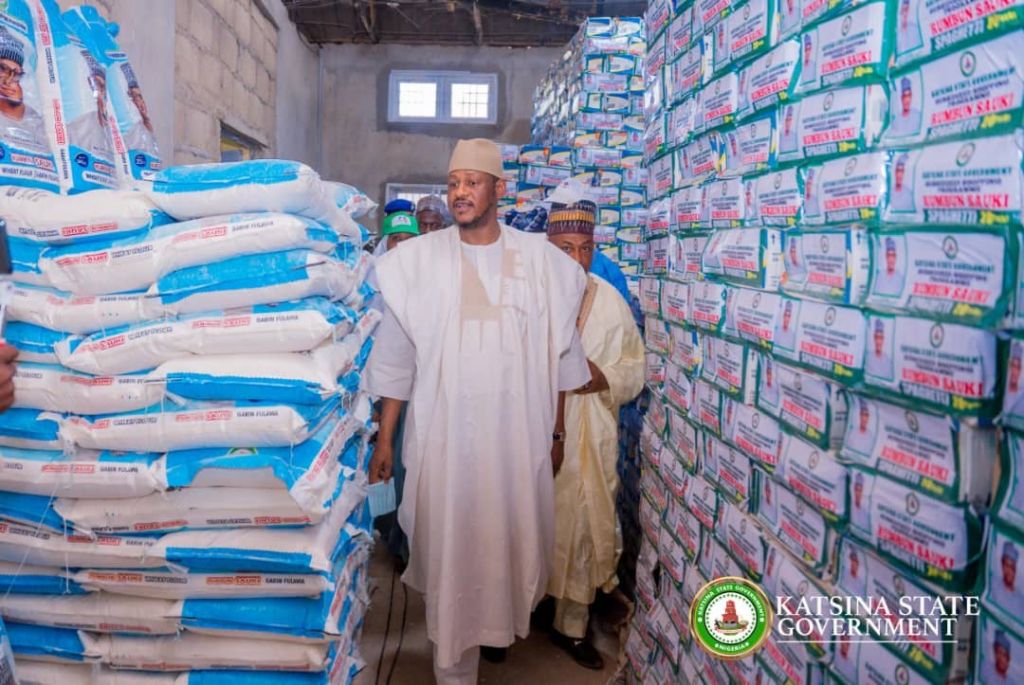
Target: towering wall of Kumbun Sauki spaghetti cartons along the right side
837, 189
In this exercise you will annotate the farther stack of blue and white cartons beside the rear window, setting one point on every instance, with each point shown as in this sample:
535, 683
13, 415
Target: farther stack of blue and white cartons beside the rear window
589, 118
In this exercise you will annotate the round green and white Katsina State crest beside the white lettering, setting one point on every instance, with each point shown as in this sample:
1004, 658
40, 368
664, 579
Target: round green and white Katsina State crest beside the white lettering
732, 618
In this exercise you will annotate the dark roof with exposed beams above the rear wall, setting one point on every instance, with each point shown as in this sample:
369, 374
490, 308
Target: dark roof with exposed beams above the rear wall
511, 23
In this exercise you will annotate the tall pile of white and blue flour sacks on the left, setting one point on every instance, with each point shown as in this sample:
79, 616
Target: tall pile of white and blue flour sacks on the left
184, 475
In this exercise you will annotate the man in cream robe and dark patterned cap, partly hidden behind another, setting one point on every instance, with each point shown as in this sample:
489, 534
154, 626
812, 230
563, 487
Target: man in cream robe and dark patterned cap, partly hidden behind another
588, 538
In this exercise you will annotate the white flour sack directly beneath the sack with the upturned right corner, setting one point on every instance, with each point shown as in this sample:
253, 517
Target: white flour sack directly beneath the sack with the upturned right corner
198, 424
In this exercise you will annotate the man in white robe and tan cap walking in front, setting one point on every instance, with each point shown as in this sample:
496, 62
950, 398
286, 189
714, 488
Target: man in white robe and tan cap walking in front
480, 338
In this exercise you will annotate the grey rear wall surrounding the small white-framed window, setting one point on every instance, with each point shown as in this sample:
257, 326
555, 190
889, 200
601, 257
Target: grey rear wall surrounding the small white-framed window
356, 85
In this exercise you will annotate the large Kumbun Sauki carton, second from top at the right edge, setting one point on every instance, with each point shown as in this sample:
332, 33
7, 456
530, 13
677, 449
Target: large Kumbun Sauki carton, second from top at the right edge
976, 91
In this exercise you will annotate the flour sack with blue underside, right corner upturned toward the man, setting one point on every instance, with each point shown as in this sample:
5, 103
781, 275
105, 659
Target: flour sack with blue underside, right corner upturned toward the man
302, 378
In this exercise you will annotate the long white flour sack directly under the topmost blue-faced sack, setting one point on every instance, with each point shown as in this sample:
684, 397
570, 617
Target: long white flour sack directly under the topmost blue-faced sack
101, 268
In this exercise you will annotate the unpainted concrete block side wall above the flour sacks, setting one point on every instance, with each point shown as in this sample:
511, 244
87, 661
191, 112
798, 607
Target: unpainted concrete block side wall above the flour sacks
240, 63
